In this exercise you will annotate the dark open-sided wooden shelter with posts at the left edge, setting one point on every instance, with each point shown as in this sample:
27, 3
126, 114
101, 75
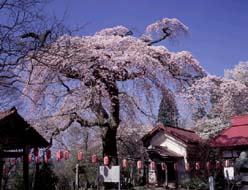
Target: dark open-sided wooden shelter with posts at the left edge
16, 138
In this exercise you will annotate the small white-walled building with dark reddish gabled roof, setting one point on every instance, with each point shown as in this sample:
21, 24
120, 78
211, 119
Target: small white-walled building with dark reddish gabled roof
175, 147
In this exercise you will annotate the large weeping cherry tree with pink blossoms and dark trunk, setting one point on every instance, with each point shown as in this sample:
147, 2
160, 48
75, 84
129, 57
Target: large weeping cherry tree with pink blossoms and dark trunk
102, 79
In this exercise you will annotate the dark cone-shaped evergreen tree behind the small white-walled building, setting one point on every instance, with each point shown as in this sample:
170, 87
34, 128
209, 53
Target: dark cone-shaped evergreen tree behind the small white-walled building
168, 113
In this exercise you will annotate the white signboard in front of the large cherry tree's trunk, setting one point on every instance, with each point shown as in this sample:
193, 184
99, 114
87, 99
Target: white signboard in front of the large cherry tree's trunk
110, 174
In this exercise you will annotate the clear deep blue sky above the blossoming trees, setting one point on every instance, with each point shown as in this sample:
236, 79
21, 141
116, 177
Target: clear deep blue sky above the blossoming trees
218, 28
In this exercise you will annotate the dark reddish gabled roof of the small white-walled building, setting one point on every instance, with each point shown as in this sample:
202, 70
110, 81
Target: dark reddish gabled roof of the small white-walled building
187, 136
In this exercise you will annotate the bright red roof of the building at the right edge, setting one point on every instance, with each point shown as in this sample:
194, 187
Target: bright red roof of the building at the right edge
235, 135
